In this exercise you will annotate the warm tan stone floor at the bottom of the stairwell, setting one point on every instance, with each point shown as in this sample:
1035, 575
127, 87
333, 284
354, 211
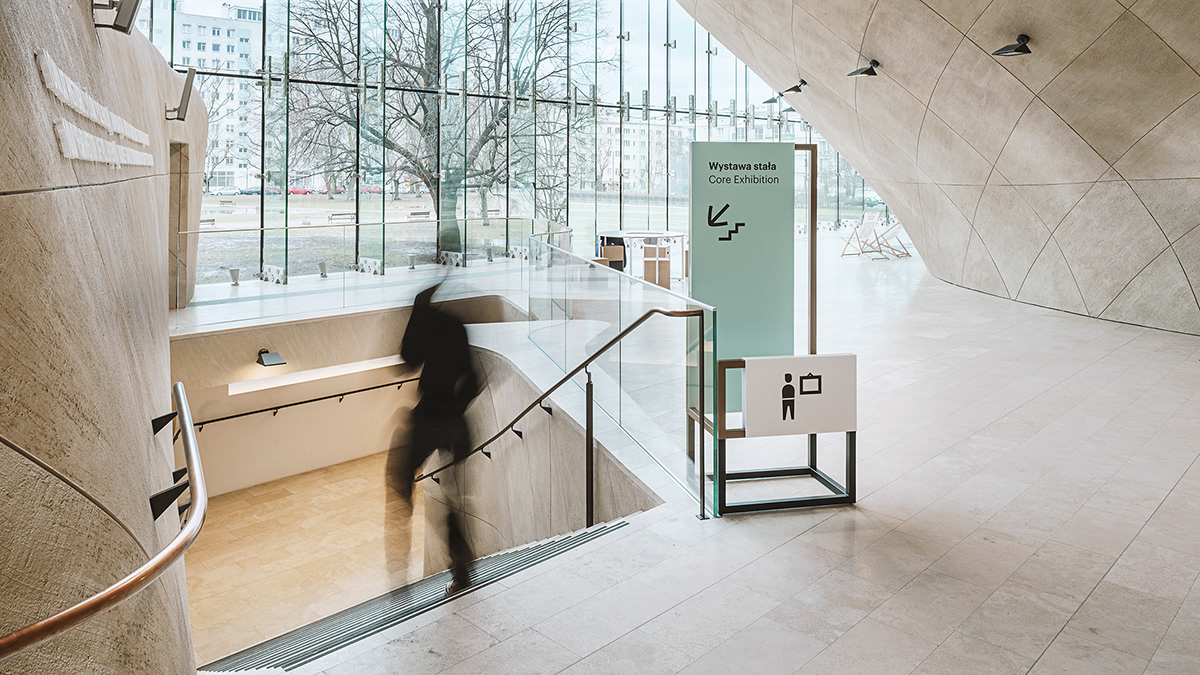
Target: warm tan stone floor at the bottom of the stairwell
278, 557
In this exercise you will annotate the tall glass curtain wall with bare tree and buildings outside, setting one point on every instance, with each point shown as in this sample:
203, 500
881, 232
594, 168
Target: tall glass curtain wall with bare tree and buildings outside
412, 111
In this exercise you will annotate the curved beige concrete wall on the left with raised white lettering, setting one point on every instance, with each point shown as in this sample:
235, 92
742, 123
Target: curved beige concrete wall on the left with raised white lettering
85, 292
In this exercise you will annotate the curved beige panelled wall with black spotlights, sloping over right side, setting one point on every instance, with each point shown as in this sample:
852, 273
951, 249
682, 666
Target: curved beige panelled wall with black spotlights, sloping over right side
1069, 178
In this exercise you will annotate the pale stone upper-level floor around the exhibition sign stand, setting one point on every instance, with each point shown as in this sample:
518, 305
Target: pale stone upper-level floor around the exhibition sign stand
1030, 501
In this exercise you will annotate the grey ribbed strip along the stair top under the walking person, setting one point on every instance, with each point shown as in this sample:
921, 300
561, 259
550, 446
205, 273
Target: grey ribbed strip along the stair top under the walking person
327, 636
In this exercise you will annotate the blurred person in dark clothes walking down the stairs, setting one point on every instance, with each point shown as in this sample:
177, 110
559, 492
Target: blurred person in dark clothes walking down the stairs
437, 343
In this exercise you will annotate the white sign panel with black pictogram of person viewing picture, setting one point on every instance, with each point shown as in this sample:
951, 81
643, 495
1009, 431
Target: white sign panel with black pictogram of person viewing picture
814, 395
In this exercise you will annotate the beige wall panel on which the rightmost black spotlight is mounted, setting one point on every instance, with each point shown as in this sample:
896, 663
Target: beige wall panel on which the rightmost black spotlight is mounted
1059, 33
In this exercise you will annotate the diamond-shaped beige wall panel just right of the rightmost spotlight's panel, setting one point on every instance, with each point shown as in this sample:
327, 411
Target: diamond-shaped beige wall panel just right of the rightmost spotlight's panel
1121, 87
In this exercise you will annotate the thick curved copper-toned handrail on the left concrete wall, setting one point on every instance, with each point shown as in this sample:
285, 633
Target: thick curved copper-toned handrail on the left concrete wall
38, 634
